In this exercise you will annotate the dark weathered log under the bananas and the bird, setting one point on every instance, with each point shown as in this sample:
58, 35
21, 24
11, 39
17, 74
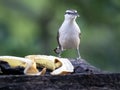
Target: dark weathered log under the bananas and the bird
84, 77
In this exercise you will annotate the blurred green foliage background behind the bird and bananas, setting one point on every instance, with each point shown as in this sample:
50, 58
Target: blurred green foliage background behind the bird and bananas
30, 27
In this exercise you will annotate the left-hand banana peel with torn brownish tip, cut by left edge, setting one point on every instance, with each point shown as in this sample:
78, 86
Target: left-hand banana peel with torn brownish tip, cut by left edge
29, 65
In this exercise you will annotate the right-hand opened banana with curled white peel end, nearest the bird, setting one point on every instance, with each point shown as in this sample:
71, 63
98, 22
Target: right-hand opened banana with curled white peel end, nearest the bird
59, 66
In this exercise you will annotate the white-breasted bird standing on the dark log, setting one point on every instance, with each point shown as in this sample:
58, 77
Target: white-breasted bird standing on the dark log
69, 33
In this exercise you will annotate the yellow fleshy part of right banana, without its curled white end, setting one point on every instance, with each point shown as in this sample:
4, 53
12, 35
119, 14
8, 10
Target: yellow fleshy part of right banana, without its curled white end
49, 62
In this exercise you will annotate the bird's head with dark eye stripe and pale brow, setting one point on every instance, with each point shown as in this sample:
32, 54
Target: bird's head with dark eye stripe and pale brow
71, 14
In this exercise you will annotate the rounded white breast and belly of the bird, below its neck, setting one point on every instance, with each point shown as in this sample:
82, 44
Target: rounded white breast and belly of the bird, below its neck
69, 37
